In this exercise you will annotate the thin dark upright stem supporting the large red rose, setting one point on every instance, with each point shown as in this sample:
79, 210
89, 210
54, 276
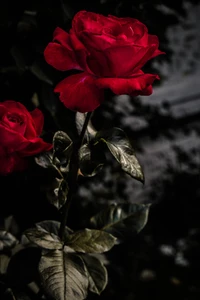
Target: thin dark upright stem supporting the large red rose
73, 173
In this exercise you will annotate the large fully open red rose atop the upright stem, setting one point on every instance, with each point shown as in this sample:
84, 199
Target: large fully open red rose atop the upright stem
110, 51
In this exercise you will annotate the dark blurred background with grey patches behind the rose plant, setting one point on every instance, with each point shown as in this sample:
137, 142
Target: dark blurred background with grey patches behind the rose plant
163, 261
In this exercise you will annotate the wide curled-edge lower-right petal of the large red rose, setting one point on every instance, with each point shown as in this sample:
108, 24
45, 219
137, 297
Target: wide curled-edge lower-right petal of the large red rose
137, 85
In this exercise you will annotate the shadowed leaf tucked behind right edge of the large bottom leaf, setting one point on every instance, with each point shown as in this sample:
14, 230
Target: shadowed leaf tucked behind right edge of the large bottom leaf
97, 273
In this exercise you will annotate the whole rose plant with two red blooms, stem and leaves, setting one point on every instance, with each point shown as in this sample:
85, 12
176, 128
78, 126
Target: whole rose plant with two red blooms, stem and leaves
107, 52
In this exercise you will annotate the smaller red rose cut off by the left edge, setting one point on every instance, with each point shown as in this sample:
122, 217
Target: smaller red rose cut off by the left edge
19, 134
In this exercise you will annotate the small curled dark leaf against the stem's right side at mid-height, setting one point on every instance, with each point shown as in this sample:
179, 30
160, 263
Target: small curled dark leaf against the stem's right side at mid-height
91, 160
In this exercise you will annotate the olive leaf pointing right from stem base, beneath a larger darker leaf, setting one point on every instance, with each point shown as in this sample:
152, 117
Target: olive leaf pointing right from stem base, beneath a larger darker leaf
91, 241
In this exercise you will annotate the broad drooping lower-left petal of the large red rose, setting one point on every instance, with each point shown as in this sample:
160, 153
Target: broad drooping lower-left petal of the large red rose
79, 92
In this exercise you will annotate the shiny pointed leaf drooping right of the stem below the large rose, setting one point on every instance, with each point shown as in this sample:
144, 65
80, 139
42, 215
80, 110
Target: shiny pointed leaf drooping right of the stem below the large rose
121, 149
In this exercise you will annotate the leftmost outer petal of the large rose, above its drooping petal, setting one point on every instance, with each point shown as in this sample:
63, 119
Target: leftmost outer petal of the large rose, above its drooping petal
59, 53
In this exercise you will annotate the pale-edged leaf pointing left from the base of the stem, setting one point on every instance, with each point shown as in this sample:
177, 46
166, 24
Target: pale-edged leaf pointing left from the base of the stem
45, 235
